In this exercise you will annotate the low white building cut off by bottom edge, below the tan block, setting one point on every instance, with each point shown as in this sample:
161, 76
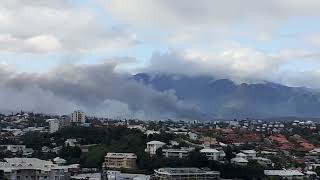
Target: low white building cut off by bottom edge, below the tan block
117, 175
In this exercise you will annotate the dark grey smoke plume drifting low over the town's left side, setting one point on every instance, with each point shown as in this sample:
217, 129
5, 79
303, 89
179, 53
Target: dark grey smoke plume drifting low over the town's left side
96, 89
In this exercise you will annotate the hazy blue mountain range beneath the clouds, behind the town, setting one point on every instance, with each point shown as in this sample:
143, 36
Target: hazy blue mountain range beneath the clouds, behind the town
223, 98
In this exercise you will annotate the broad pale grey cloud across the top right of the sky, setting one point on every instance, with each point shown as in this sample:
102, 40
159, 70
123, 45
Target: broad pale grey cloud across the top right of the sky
182, 20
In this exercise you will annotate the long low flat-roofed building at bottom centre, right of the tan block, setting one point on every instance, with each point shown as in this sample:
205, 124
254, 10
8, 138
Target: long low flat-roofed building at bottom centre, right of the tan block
185, 173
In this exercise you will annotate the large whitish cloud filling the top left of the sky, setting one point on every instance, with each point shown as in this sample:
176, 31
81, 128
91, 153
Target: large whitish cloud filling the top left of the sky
57, 26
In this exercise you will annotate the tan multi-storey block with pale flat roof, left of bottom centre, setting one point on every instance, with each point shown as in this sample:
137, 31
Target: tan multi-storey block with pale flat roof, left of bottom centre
120, 160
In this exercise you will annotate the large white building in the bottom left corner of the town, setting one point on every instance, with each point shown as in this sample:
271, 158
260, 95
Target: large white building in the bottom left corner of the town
32, 168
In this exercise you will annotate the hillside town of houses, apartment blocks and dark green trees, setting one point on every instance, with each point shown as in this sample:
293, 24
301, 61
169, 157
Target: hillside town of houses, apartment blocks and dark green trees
76, 146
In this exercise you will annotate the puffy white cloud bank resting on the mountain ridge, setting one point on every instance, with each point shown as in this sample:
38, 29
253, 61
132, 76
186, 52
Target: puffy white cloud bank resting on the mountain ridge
239, 64
